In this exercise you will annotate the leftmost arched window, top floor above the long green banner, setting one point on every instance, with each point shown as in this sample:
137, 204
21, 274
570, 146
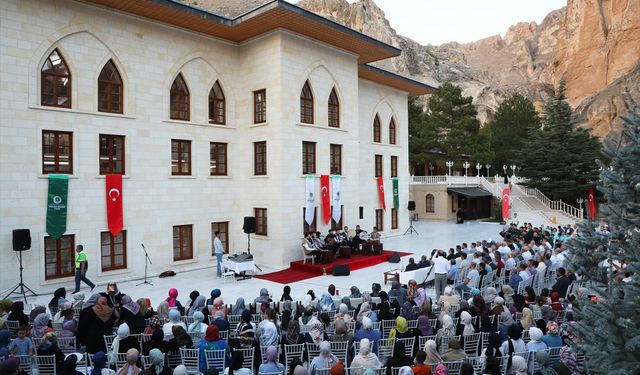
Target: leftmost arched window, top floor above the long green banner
55, 79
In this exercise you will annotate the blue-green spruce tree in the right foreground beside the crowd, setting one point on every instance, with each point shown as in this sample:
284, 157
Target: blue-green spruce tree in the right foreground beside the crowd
609, 330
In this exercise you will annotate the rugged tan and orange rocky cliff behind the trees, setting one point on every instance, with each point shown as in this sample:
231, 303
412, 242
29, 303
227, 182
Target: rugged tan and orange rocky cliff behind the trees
593, 44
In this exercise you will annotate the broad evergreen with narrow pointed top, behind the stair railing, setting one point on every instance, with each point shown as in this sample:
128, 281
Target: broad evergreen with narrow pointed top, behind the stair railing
559, 159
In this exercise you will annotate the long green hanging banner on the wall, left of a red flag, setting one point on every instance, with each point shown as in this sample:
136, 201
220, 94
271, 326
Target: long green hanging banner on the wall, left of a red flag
57, 205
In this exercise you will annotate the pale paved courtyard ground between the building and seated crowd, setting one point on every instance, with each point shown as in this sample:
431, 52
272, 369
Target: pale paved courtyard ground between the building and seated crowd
435, 234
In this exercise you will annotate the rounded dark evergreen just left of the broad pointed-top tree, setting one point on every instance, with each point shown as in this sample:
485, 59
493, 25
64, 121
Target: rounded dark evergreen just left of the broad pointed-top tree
516, 120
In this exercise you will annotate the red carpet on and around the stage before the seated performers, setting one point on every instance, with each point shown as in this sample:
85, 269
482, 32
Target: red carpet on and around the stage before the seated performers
300, 271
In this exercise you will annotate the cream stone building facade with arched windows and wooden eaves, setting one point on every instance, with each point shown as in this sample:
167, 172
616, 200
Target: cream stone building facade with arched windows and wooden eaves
207, 119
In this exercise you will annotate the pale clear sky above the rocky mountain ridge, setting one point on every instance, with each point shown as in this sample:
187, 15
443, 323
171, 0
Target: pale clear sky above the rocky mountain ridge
441, 21
